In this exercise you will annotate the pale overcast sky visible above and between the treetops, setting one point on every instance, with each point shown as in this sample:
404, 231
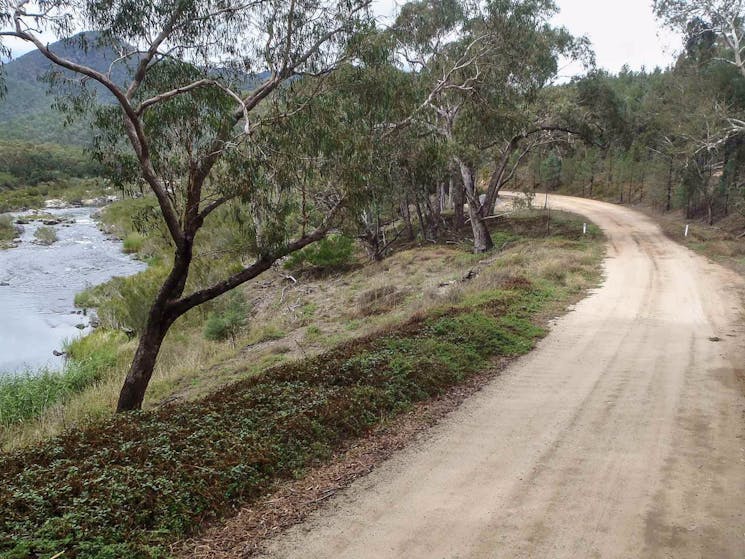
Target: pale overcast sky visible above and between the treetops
621, 31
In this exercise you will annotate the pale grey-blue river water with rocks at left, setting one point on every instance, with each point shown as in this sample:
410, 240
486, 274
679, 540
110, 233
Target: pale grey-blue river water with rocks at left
38, 286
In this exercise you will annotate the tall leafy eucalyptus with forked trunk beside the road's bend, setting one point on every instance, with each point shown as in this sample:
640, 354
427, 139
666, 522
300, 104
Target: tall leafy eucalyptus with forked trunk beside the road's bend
480, 66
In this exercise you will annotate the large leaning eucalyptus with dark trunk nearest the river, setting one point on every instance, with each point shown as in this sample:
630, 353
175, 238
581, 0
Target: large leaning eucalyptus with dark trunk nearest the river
199, 118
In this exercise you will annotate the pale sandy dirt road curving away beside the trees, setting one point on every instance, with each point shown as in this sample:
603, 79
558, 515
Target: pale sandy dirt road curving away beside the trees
620, 436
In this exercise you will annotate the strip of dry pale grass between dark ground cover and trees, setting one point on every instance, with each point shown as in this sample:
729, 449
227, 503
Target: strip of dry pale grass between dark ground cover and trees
290, 321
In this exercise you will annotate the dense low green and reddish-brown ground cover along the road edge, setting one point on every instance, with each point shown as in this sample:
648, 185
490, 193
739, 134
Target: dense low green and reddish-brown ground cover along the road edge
129, 486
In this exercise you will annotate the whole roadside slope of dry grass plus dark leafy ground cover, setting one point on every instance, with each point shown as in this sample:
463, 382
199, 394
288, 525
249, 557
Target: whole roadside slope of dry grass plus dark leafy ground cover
128, 486
